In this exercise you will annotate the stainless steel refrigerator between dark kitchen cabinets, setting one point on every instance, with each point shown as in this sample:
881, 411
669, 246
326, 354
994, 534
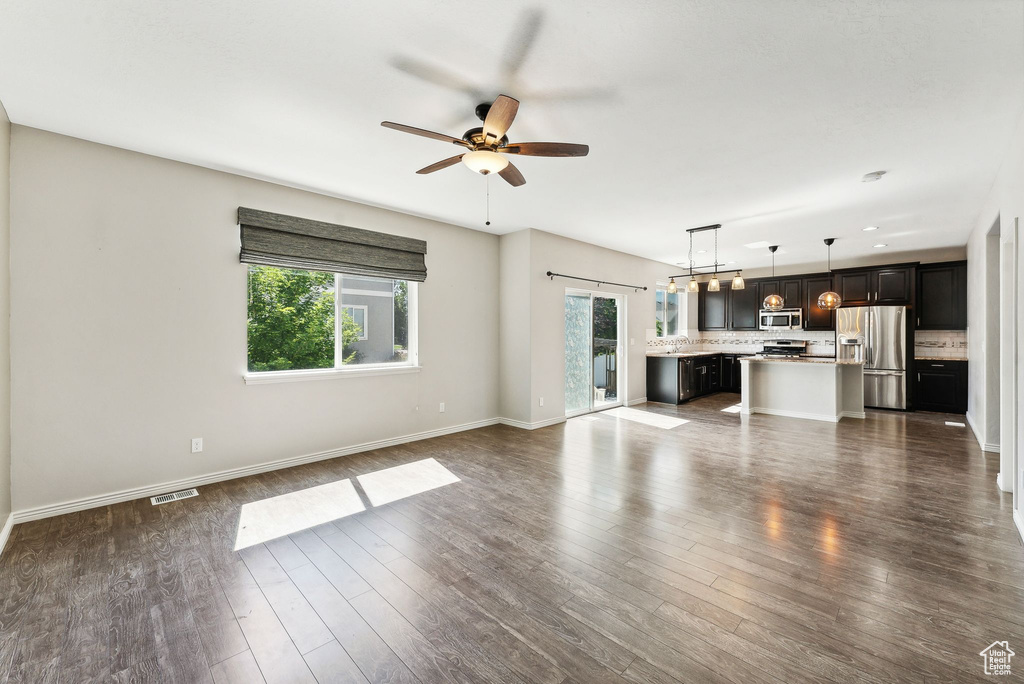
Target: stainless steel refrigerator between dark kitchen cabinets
876, 335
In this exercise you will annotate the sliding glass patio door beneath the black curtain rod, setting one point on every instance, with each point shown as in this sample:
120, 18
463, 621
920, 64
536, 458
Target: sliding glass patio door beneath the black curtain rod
595, 366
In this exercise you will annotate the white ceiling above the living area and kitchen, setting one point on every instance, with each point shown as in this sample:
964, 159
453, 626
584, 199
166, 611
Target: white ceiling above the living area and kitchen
758, 115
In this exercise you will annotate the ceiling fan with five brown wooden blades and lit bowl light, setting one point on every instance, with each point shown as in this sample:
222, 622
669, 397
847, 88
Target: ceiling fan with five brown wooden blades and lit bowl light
485, 143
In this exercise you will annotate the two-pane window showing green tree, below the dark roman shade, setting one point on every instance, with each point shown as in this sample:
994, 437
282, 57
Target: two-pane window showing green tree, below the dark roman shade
310, 320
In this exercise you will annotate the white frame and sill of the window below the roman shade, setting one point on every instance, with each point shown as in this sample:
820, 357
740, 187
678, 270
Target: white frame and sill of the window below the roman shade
411, 365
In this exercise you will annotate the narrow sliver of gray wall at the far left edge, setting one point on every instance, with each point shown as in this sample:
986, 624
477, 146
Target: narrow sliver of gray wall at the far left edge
6, 498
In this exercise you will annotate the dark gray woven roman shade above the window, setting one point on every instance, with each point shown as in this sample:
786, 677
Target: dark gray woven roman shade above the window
289, 242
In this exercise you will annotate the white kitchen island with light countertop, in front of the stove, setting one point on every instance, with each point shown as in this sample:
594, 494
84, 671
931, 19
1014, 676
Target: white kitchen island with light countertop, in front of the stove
816, 389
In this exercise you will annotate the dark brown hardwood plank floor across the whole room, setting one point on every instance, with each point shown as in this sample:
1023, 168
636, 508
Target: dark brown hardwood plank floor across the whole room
729, 549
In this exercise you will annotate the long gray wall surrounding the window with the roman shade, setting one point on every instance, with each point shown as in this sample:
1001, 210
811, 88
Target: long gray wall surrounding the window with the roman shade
129, 320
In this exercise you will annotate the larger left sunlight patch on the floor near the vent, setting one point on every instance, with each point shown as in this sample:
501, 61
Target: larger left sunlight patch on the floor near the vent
268, 520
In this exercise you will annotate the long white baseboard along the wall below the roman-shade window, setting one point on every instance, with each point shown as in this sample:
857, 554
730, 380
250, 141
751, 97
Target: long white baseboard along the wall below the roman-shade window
153, 490
